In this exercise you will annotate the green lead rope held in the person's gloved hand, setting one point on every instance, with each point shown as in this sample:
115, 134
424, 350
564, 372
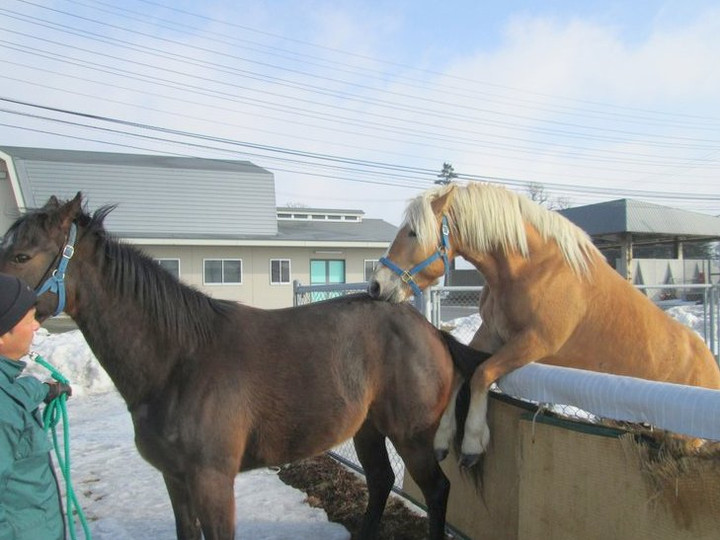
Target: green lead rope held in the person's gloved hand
55, 411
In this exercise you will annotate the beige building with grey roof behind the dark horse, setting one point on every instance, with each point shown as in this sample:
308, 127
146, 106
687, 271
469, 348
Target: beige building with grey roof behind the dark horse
214, 223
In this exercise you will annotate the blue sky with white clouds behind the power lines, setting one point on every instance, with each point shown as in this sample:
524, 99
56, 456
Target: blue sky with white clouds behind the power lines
358, 104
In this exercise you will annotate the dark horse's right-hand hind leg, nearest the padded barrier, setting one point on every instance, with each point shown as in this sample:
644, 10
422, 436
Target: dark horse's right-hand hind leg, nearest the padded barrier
422, 465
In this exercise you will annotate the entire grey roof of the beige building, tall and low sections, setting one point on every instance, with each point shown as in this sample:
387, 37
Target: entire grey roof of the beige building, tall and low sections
182, 200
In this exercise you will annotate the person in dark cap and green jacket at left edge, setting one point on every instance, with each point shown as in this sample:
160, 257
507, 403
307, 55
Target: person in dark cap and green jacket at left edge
30, 507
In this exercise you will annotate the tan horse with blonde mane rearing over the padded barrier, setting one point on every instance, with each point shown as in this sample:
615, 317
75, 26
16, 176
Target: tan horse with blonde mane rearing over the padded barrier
550, 297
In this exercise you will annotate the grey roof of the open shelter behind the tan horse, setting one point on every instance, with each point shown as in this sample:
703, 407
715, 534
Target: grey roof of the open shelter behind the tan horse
609, 222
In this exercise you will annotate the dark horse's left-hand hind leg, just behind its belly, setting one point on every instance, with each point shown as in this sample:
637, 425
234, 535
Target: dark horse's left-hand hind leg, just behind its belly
372, 453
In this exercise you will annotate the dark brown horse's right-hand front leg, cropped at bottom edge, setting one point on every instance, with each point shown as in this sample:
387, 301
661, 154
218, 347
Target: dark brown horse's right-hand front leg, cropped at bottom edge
212, 495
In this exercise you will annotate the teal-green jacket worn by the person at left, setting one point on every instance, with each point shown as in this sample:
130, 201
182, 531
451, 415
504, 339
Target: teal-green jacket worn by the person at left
29, 499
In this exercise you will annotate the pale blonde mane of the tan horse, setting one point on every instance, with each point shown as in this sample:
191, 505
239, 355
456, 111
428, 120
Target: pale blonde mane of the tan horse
486, 217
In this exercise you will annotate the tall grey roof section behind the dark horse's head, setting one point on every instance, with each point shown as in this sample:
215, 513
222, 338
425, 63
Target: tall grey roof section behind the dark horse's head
163, 195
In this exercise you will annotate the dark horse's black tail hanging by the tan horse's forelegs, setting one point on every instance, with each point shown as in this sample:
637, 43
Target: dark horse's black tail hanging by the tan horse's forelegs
466, 360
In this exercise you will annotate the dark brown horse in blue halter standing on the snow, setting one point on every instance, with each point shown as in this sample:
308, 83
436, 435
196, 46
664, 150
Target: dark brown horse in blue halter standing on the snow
214, 387
